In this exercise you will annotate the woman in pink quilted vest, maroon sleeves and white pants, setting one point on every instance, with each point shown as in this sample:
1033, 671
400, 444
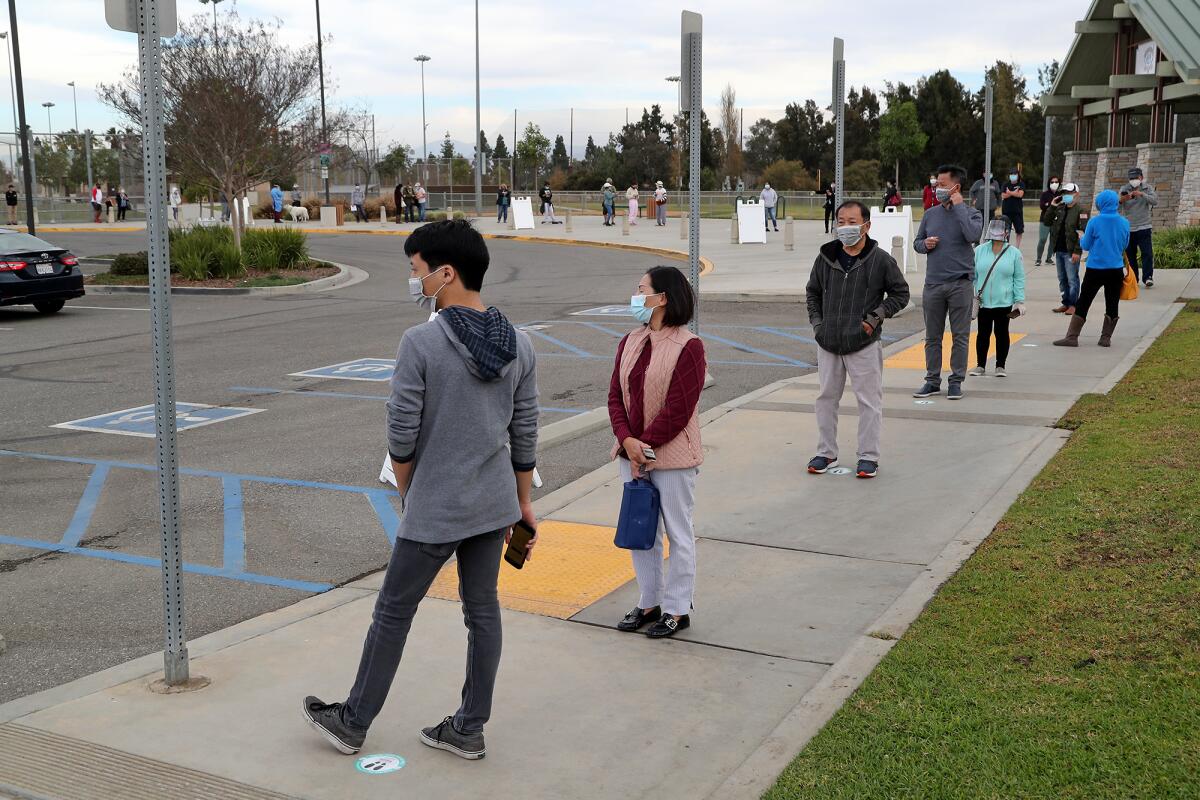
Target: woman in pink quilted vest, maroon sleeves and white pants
653, 404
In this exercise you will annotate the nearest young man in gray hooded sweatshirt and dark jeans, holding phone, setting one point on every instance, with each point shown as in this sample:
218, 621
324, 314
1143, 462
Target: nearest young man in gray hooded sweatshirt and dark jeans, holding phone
463, 432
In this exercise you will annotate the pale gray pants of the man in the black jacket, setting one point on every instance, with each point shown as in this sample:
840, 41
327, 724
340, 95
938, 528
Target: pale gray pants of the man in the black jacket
866, 371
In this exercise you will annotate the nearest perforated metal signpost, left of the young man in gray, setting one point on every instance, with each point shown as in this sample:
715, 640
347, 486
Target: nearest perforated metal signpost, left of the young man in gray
154, 161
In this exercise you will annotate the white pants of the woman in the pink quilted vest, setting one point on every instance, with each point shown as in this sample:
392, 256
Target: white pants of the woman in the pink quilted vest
677, 492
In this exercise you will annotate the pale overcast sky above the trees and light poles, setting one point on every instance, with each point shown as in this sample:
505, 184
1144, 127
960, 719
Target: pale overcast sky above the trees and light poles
543, 57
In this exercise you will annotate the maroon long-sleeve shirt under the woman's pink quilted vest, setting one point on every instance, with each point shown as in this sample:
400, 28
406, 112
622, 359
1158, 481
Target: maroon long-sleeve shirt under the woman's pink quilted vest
683, 396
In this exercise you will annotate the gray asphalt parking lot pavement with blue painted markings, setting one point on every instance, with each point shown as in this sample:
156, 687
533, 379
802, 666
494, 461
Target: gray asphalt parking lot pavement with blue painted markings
281, 442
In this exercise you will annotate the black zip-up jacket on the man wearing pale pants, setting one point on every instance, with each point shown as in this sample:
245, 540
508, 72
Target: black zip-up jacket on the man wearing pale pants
842, 300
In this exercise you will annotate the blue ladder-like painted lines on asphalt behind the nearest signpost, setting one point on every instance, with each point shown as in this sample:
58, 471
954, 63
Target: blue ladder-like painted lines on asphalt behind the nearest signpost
235, 530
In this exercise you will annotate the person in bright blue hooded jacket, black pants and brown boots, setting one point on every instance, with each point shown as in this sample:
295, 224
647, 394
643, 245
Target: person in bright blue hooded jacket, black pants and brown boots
1106, 242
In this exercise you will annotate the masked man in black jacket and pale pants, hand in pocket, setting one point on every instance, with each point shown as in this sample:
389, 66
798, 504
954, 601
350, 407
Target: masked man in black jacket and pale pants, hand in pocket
854, 287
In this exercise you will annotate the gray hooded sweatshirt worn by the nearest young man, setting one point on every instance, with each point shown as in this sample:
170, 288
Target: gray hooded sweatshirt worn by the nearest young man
457, 418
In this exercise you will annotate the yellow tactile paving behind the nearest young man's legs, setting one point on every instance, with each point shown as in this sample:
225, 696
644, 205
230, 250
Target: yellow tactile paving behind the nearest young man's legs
574, 566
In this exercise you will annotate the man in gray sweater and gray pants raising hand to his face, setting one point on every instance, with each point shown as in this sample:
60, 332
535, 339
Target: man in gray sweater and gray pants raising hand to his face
947, 237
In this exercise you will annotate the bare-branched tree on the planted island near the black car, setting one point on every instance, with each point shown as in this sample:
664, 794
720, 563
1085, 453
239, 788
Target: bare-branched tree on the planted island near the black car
238, 109
